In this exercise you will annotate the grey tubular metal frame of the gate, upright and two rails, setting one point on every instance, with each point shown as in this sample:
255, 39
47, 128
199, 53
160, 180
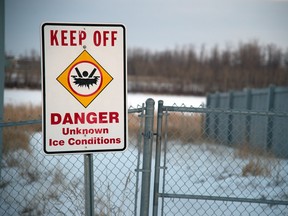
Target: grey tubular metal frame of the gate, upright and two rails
163, 111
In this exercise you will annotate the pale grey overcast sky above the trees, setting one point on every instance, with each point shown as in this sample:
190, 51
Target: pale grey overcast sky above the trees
154, 24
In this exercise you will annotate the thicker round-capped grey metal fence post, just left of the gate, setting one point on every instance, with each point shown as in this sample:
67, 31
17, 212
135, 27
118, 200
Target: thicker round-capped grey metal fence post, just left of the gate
147, 157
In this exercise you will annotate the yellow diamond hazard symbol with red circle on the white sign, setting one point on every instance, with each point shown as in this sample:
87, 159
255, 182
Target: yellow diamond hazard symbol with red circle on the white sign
85, 78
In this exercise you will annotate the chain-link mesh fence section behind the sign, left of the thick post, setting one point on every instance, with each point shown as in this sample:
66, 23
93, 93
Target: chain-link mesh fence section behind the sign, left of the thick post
35, 184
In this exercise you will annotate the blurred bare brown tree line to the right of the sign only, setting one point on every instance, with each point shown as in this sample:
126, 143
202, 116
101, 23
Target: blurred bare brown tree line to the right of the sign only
250, 65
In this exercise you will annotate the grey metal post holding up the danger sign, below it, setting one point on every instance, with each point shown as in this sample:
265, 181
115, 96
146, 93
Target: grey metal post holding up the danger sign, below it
89, 184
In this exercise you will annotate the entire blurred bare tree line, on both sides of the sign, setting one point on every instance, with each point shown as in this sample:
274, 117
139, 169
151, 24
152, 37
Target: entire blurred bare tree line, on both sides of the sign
181, 70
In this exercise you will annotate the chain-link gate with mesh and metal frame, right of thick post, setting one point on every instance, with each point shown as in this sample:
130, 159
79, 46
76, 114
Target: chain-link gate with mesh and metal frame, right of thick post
214, 162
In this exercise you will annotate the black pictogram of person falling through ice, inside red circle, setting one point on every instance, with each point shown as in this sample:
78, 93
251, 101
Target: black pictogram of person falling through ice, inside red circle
85, 79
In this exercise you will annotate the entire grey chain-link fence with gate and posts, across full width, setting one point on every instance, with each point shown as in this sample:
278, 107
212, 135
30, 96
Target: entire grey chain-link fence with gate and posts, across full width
177, 163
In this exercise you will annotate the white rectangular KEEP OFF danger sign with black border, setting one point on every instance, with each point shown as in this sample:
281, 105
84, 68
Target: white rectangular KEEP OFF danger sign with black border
84, 88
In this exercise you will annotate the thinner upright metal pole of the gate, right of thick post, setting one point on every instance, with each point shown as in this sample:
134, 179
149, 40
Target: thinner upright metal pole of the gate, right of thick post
157, 157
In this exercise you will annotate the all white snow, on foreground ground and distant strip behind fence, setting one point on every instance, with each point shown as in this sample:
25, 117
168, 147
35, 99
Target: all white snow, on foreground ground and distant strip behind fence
53, 185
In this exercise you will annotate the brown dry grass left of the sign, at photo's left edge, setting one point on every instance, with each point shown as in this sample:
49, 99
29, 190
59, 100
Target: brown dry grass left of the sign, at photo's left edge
17, 137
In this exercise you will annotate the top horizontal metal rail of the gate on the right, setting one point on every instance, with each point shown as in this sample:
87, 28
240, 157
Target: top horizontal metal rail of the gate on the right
226, 111
